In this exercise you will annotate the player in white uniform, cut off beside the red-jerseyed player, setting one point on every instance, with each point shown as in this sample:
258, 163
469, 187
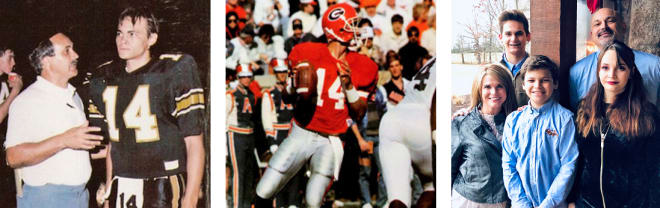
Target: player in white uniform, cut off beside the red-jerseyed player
404, 137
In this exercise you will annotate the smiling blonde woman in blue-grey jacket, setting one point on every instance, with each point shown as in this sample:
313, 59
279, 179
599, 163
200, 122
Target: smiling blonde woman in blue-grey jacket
476, 161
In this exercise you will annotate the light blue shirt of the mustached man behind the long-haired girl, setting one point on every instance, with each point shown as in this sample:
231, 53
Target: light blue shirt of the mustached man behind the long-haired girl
583, 75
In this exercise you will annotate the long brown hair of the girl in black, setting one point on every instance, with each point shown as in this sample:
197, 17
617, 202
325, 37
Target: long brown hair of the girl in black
630, 113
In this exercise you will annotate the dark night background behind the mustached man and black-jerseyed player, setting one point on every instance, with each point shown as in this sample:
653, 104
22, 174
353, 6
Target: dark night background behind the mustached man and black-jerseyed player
92, 25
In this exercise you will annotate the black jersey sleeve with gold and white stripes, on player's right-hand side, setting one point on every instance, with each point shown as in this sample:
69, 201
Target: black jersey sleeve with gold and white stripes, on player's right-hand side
188, 104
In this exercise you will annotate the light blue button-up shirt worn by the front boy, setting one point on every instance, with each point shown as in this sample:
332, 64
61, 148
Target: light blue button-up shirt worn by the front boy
539, 155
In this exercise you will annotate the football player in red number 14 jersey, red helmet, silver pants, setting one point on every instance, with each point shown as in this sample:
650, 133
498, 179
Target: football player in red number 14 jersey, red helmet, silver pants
345, 78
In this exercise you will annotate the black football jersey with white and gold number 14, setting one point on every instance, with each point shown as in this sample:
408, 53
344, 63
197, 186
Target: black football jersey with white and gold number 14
147, 113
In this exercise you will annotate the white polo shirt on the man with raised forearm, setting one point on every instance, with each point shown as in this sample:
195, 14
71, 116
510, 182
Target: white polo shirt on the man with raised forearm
41, 111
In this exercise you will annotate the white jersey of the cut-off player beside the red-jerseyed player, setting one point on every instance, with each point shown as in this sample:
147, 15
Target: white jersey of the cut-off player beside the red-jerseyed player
422, 86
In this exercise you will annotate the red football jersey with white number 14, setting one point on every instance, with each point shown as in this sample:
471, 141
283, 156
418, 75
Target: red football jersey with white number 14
331, 115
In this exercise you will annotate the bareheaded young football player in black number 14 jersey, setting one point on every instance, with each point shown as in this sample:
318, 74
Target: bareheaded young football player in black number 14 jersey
152, 108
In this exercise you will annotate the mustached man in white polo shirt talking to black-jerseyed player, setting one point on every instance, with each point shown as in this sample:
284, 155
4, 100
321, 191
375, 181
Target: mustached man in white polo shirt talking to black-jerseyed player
47, 133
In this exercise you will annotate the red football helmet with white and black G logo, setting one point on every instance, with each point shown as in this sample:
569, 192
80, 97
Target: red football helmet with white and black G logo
340, 23
